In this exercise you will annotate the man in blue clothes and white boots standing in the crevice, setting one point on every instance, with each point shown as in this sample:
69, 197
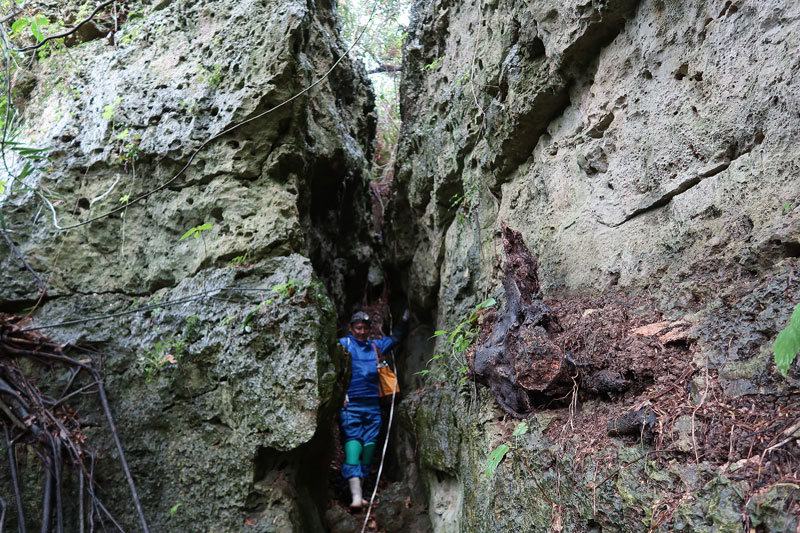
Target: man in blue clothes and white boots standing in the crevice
360, 418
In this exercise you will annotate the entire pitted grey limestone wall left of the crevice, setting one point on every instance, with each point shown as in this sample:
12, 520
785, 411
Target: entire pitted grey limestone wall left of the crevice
234, 428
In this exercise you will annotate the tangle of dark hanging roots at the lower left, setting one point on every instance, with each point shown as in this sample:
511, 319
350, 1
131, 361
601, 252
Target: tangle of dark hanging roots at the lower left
48, 426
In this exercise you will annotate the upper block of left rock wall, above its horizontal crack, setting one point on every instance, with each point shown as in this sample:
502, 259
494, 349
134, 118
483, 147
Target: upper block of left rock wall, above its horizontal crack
145, 106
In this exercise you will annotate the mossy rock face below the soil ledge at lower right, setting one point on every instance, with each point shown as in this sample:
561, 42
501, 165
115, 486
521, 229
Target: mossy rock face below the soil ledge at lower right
541, 484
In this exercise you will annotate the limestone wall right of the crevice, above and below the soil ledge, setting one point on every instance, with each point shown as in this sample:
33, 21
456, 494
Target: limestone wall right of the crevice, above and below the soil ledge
642, 146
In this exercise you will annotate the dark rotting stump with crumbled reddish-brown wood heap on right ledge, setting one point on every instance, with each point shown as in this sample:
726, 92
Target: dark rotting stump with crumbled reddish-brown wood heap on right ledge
536, 352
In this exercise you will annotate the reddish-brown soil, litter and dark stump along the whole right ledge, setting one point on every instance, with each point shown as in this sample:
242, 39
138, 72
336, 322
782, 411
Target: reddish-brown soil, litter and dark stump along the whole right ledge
639, 371
